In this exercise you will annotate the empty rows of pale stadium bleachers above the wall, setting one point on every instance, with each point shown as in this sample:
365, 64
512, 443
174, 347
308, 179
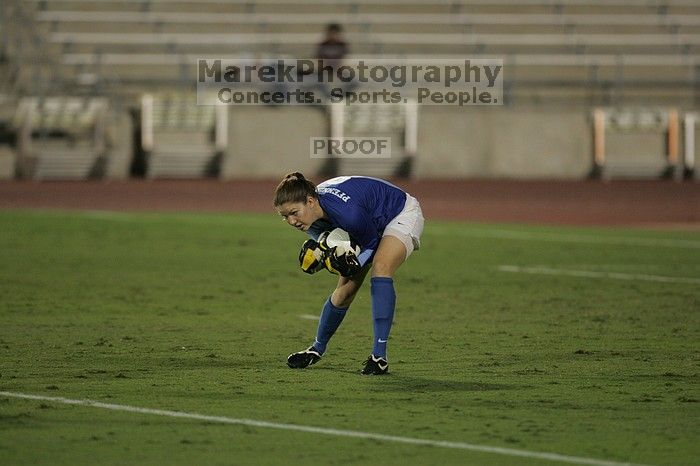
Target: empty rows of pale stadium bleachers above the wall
556, 52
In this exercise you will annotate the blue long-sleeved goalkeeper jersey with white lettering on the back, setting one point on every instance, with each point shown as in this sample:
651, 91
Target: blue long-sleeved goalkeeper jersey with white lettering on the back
360, 205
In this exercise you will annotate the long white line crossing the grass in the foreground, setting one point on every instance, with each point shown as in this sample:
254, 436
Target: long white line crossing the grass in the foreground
324, 430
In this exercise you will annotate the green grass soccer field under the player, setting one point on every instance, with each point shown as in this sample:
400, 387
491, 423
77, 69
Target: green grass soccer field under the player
580, 342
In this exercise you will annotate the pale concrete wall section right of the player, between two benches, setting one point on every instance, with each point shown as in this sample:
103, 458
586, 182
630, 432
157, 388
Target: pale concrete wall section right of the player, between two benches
503, 142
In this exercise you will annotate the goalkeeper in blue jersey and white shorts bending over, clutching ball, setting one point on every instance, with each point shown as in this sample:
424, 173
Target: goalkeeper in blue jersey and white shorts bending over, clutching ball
383, 220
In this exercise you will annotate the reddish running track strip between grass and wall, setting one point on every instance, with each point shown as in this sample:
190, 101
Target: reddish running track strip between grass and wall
664, 204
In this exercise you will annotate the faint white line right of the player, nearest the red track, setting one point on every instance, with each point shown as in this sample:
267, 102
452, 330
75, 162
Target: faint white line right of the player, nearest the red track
569, 238
